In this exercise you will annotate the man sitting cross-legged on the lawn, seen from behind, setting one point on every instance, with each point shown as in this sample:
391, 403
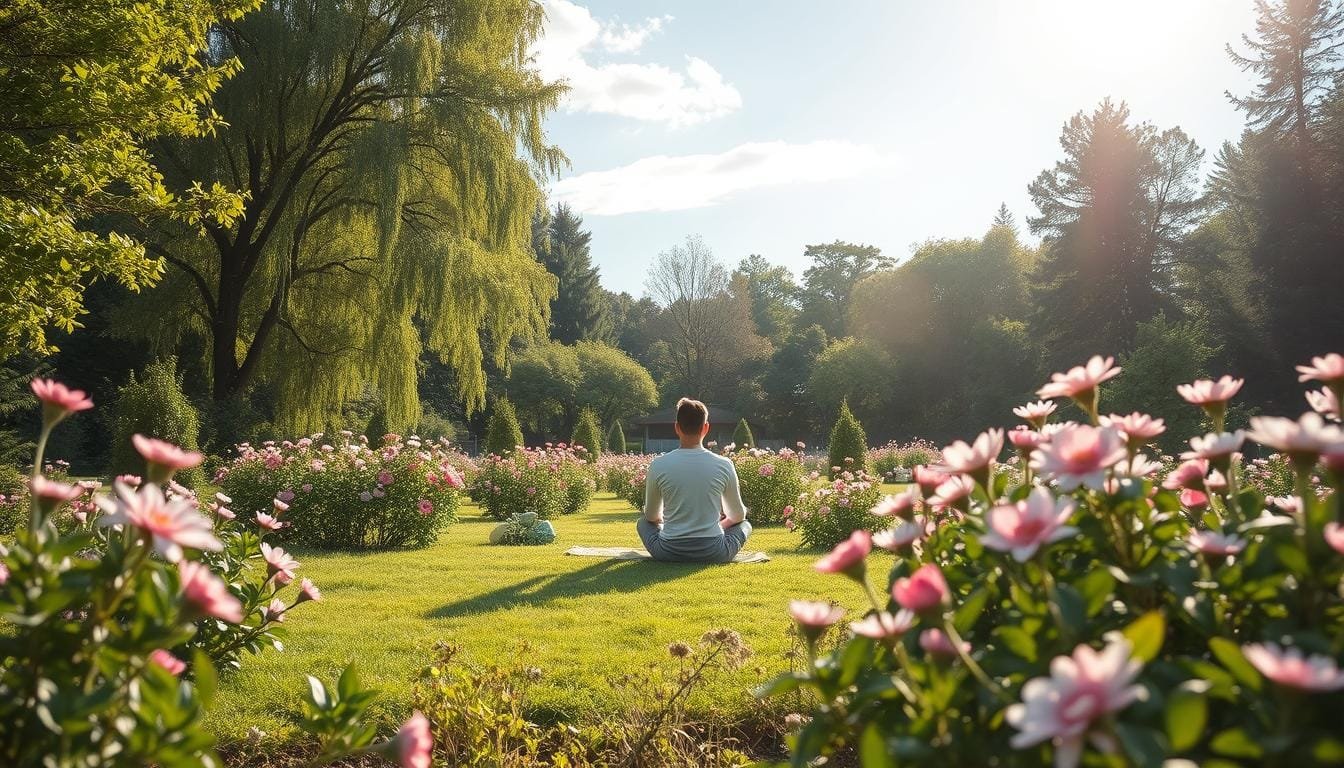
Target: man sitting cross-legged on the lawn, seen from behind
693, 506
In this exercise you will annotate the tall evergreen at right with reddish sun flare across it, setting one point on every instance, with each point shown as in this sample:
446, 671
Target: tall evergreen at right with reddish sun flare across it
1112, 216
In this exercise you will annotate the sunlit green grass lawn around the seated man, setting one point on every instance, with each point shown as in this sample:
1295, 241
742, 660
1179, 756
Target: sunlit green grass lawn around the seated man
585, 619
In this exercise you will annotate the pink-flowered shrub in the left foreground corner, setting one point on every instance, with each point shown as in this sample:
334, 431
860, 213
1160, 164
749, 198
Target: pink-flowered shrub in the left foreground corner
111, 627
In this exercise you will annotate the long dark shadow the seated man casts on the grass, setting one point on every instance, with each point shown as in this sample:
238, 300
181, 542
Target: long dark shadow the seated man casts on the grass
601, 578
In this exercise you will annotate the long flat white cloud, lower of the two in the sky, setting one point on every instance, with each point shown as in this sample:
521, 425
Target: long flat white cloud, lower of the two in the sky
667, 184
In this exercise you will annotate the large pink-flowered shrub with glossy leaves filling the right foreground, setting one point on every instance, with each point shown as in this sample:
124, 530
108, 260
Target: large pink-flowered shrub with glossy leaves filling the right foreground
1103, 606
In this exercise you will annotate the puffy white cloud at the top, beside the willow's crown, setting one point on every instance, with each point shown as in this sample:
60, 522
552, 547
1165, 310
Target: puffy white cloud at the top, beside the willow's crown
650, 92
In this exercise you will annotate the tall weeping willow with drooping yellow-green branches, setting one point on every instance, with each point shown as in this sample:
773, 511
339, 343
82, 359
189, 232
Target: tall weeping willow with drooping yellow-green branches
392, 153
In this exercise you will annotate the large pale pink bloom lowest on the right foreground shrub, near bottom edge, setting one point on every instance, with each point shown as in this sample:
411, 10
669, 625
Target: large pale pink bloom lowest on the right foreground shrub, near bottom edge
1081, 689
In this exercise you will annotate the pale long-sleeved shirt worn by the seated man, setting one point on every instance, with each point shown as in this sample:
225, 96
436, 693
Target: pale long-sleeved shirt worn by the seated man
689, 488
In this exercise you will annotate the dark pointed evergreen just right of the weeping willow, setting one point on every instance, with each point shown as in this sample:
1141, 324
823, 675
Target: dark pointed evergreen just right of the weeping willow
579, 311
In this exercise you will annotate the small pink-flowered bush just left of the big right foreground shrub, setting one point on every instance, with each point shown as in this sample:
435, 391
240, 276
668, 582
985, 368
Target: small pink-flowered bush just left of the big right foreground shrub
831, 510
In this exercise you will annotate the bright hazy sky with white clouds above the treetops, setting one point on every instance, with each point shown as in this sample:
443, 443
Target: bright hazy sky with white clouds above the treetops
765, 127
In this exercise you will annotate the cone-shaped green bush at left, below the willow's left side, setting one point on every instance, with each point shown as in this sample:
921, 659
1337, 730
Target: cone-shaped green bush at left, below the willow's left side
155, 407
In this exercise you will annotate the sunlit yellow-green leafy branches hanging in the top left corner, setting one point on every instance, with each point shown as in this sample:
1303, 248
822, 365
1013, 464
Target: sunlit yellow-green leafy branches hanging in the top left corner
84, 91
